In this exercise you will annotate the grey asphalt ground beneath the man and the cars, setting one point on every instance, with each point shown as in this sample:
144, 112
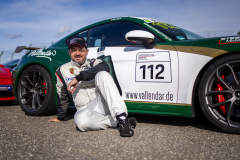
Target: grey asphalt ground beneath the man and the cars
156, 137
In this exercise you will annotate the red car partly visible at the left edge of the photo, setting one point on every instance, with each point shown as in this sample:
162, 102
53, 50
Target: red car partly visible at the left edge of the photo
6, 93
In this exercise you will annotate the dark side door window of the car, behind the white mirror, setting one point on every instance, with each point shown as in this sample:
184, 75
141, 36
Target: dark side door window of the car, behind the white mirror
112, 34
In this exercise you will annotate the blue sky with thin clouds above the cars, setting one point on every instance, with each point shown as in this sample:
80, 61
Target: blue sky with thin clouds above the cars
42, 22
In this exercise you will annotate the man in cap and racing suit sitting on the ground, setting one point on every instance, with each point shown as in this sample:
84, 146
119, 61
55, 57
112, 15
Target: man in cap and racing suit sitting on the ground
94, 93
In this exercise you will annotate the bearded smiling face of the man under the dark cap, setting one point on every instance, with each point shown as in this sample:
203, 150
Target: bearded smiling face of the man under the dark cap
78, 54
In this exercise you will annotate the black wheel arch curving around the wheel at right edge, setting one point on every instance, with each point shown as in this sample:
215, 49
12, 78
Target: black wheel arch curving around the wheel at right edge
196, 110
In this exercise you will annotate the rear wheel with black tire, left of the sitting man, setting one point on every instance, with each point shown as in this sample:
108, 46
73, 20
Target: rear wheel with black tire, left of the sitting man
35, 92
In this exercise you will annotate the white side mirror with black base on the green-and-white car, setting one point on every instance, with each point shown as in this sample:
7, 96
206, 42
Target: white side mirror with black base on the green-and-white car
143, 37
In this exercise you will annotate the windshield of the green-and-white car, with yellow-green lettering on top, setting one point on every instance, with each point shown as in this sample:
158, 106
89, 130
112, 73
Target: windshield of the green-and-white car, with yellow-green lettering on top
174, 32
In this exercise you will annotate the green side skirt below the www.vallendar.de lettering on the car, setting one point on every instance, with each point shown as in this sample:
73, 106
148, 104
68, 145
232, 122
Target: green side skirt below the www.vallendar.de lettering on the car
160, 108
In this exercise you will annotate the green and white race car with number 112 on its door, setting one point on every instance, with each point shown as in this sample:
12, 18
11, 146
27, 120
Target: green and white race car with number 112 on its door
159, 68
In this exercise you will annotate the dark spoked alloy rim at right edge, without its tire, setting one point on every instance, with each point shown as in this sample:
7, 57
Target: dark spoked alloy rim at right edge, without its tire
222, 94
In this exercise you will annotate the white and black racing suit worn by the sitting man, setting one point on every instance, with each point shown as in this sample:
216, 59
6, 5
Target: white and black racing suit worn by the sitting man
96, 97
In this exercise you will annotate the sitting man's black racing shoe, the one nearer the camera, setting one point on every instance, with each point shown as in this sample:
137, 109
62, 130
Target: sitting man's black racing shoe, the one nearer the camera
125, 128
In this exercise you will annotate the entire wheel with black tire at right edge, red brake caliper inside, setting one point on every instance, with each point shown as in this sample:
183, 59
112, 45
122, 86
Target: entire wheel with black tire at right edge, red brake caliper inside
219, 93
